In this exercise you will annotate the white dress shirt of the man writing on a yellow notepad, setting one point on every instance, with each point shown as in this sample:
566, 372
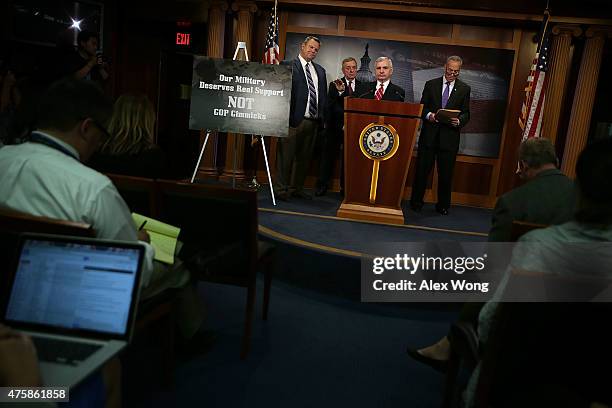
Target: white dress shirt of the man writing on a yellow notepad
41, 180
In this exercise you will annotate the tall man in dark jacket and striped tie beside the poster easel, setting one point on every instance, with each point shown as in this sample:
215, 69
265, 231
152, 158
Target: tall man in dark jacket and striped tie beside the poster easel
306, 116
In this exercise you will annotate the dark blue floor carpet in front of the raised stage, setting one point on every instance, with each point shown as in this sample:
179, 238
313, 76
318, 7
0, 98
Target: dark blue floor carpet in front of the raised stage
314, 350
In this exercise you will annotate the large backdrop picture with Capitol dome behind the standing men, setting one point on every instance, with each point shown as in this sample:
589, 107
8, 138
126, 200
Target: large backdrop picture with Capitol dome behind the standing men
486, 70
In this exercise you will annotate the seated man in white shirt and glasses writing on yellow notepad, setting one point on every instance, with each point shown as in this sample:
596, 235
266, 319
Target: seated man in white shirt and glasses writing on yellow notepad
46, 176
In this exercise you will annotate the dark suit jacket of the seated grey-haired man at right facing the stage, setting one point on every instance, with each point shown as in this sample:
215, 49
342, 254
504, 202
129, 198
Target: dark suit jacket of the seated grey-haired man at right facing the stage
549, 198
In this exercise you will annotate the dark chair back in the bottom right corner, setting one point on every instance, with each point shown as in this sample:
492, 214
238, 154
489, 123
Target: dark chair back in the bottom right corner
545, 355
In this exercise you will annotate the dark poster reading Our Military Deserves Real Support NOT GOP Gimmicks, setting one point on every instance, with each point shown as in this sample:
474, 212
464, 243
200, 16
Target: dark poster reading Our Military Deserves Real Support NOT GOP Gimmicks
240, 97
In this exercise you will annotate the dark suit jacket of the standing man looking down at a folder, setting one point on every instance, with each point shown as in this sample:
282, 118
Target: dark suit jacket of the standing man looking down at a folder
432, 101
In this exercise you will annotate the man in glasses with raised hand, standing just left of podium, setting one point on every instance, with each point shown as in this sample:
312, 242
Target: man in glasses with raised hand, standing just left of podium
334, 131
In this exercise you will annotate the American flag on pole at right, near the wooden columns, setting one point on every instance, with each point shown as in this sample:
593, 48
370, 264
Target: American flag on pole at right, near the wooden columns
535, 91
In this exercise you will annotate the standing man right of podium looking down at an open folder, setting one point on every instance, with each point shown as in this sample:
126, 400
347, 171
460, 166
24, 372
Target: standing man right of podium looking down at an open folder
440, 141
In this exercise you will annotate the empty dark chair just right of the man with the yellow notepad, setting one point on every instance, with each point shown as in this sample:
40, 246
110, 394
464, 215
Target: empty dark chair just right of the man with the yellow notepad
219, 231
